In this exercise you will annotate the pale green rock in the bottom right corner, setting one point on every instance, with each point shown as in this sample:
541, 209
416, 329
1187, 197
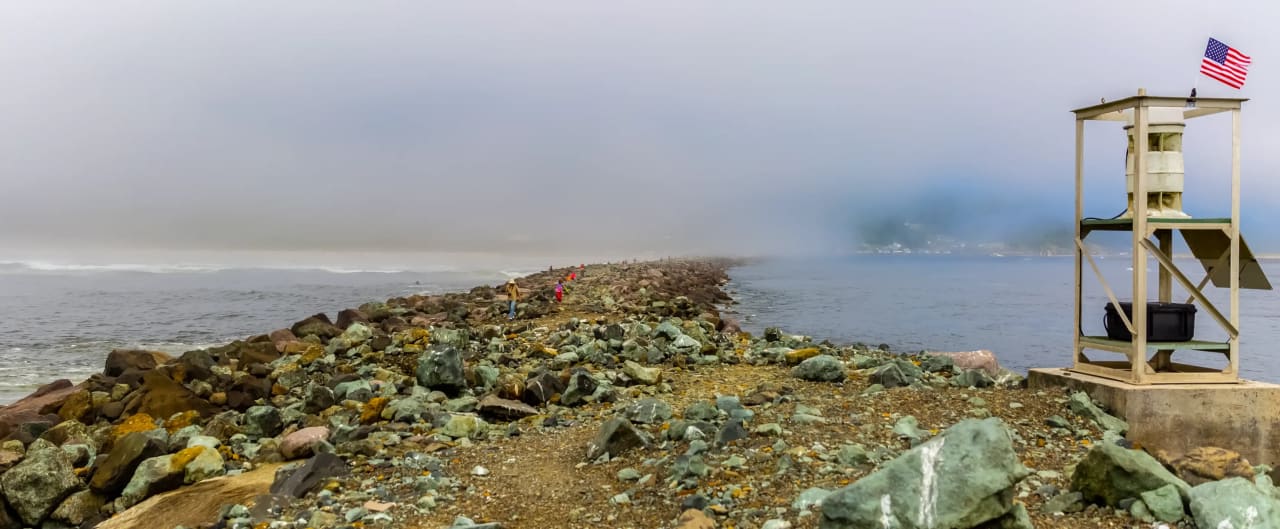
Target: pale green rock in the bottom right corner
1236, 504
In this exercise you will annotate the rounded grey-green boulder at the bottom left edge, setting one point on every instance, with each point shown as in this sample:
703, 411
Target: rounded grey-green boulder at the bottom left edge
38, 485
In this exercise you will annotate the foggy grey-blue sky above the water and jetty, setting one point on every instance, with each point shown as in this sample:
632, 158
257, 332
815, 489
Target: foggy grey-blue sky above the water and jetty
596, 129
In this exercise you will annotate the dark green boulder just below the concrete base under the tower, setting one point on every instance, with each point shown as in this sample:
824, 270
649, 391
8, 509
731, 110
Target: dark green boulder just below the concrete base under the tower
1112, 473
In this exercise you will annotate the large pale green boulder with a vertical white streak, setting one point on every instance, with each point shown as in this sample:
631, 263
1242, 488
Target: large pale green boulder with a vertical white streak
959, 480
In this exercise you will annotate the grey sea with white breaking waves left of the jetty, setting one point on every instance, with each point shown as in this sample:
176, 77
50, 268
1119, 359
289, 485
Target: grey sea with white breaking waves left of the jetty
62, 321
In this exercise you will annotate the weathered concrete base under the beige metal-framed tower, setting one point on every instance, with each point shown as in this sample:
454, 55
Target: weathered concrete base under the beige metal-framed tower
1176, 418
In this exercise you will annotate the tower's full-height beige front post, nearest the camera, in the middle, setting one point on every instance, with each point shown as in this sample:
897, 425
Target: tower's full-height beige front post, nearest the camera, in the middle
1139, 354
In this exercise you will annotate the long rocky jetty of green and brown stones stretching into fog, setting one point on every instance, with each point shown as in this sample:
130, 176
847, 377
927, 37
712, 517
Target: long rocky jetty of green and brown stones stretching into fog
634, 404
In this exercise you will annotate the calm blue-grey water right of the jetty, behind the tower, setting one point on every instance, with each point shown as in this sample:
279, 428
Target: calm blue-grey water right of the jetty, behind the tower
1020, 308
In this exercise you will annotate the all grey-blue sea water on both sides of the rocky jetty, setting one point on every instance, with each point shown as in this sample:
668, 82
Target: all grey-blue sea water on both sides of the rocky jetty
62, 321
